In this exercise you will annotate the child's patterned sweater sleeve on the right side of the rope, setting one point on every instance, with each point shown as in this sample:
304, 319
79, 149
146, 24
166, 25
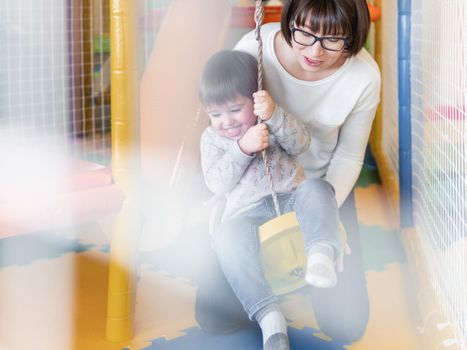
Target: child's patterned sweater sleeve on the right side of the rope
293, 134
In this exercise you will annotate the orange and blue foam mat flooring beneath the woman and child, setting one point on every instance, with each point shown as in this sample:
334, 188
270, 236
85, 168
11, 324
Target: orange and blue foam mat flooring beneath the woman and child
54, 288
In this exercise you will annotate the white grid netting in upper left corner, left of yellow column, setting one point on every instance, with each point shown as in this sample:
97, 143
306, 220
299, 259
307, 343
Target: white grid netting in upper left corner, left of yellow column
54, 81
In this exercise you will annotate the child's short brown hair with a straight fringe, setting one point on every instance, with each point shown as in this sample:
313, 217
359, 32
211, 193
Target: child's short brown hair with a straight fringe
226, 74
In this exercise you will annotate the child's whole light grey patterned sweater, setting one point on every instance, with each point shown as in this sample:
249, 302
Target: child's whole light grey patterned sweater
242, 178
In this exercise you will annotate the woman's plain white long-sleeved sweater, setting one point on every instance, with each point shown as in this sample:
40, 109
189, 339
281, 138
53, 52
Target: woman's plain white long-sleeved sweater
339, 109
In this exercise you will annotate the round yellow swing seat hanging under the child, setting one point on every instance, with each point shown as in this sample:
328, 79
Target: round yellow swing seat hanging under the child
283, 253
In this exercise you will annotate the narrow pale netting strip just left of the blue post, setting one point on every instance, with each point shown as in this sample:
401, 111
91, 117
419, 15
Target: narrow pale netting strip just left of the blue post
389, 99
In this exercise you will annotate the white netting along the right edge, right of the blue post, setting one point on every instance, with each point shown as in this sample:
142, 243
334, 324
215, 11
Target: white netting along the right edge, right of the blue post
439, 158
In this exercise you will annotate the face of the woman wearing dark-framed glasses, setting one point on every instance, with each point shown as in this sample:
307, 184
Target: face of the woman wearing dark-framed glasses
315, 60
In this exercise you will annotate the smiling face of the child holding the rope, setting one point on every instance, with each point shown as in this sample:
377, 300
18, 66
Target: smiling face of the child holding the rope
233, 118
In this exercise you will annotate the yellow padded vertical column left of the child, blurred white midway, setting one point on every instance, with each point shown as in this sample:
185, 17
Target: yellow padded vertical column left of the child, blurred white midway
125, 162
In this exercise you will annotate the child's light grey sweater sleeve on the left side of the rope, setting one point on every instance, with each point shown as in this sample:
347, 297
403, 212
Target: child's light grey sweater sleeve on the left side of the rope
222, 167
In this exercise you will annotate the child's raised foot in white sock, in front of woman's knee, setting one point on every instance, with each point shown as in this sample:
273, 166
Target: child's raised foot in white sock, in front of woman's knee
320, 271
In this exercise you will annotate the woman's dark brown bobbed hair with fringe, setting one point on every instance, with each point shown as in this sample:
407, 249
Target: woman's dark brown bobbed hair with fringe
332, 17
